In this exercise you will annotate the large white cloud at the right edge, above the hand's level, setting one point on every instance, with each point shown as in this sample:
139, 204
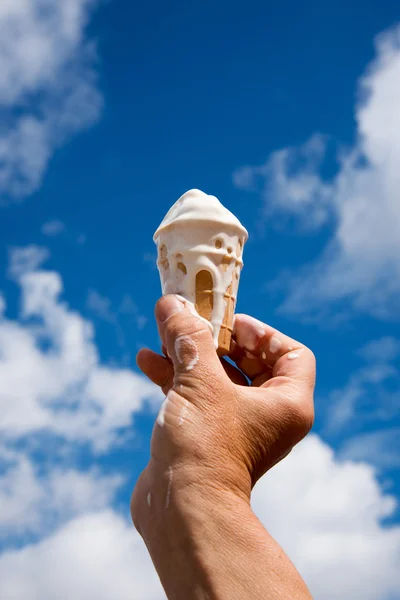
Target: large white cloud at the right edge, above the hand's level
360, 263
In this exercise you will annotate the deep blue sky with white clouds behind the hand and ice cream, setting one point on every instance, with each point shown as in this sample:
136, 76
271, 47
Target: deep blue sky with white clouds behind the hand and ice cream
109, 113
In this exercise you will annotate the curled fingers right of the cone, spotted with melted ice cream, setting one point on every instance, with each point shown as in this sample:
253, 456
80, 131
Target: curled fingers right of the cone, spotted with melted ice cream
263, 353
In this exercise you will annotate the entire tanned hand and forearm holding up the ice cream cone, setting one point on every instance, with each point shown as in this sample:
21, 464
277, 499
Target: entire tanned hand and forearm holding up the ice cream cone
219, 436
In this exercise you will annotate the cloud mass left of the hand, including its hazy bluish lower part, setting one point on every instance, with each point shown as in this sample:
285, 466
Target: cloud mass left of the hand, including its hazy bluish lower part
56, 394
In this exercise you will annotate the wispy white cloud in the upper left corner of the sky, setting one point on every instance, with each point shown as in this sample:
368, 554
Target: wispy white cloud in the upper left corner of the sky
48, 86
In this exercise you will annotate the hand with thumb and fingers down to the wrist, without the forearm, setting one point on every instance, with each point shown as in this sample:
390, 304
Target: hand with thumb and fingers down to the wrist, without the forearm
222, 427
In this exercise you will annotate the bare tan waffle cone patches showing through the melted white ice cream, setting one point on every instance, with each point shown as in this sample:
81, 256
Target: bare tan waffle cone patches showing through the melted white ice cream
205, 304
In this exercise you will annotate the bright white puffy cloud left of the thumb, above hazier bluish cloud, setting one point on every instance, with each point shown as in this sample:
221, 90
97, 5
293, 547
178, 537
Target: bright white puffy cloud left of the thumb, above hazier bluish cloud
51, 378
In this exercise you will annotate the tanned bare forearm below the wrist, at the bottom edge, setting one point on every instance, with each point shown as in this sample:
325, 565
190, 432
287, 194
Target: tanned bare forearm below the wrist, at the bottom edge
209, 545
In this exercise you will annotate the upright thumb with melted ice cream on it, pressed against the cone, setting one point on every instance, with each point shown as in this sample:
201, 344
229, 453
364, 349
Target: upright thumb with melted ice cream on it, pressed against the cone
188, 340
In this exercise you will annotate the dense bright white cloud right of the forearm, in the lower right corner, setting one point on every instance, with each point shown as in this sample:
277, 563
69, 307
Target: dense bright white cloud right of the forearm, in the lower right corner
327, 516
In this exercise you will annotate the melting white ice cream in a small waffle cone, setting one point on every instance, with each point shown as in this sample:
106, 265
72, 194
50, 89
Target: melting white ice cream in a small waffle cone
200, 248
